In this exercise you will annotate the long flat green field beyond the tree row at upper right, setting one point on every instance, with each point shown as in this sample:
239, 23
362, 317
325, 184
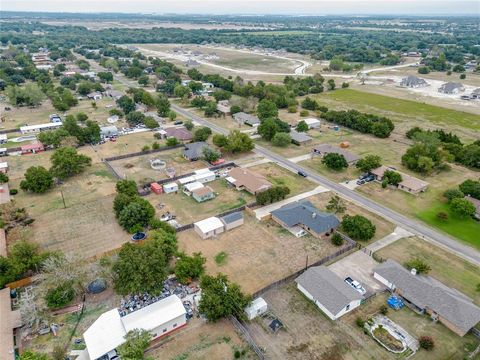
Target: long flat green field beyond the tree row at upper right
402, 109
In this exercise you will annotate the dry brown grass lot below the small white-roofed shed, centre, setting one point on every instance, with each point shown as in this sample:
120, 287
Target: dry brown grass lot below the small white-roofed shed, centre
258, 253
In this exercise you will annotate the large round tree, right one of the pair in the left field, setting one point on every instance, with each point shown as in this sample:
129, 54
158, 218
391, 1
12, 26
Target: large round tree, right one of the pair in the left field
66, 162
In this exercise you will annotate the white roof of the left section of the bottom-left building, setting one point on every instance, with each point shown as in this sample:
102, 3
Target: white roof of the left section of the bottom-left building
105, 334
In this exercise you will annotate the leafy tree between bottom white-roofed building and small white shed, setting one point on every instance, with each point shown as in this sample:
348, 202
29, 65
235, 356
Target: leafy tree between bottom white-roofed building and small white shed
220, 298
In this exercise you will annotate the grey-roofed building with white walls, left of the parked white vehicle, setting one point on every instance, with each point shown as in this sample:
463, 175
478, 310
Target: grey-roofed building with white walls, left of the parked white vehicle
329, 292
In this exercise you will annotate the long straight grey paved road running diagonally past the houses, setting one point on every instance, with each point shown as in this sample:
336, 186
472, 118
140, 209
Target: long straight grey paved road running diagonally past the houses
408, 224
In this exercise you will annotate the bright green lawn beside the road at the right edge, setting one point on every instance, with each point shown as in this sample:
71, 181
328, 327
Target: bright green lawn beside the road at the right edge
464, 229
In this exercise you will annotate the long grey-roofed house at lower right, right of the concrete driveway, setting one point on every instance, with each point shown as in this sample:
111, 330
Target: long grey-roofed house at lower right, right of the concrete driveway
427, 295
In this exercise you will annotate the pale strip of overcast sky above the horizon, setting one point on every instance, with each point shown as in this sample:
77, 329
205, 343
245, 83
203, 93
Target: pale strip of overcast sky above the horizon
310, 7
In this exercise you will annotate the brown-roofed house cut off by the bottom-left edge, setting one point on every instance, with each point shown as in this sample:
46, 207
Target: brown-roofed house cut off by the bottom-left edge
10, 321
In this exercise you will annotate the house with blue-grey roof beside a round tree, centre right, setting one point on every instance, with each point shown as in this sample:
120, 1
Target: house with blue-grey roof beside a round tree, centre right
301, 217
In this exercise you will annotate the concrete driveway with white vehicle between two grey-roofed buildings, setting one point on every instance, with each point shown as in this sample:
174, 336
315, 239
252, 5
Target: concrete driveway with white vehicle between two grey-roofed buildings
359, 266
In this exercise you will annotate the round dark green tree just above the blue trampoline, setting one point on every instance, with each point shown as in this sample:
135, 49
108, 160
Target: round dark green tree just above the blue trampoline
136, 214
